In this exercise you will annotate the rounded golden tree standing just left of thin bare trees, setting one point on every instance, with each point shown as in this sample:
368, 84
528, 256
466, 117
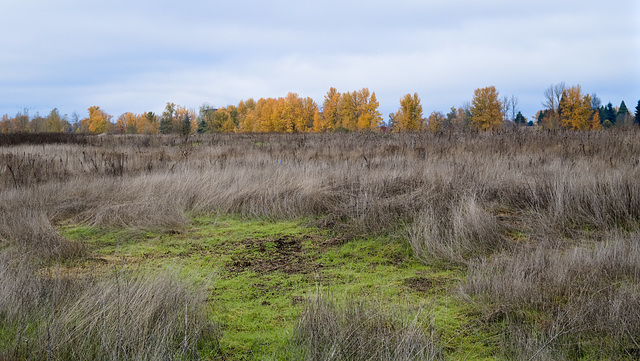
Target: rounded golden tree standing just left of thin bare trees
486, 109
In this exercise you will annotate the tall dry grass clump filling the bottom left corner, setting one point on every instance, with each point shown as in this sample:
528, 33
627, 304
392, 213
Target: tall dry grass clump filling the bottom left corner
49, 315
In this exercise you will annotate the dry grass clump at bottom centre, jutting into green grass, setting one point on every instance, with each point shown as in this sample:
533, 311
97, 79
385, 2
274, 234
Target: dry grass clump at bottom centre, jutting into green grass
359, 331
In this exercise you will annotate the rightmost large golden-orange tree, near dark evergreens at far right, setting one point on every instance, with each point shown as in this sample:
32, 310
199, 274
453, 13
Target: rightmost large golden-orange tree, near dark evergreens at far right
575, 109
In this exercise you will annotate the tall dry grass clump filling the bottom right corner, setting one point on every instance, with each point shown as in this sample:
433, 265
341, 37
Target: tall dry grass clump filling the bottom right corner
576, 293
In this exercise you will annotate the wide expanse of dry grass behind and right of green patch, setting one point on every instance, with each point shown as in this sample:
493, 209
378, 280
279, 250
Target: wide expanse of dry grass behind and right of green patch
561, 204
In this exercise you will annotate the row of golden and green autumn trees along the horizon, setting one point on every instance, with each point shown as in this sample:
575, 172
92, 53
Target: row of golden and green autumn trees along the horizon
564, 108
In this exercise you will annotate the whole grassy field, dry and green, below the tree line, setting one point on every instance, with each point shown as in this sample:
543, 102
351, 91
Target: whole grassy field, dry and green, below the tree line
517, 245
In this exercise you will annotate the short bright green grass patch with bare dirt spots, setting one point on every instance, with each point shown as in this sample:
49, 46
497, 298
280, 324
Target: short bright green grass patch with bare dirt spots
260, 273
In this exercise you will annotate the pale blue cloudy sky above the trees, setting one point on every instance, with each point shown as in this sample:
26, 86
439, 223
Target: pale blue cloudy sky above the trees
137, 55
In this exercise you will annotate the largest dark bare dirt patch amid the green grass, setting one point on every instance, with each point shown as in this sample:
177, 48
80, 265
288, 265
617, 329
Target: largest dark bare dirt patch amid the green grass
265, 255
